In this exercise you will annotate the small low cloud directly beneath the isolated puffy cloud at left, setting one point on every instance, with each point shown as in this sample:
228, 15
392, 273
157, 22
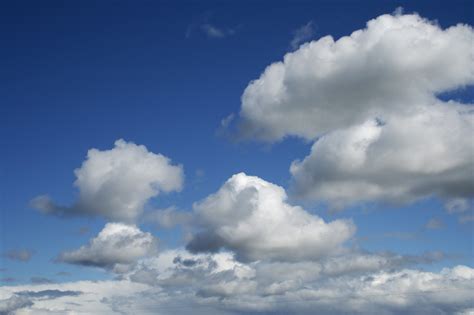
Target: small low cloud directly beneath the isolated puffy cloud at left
115, 247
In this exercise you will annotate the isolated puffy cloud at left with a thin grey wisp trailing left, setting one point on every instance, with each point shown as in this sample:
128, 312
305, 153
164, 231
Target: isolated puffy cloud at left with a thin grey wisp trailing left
117, 183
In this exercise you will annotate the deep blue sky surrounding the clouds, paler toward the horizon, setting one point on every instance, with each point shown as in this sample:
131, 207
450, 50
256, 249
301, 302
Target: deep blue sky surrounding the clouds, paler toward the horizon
80, 75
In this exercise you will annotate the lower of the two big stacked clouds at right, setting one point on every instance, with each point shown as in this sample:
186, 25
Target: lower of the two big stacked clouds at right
400, 160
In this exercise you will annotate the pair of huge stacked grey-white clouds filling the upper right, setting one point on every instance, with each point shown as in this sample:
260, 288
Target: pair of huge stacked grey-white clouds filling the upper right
369, 101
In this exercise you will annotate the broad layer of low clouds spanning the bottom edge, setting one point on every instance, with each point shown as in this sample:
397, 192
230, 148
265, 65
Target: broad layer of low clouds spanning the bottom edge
177, 281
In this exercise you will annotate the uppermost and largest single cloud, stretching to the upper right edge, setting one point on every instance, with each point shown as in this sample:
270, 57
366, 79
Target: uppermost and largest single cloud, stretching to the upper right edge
394, 65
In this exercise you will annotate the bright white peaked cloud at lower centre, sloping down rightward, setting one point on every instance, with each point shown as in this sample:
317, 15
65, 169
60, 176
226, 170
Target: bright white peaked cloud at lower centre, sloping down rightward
252, 218
